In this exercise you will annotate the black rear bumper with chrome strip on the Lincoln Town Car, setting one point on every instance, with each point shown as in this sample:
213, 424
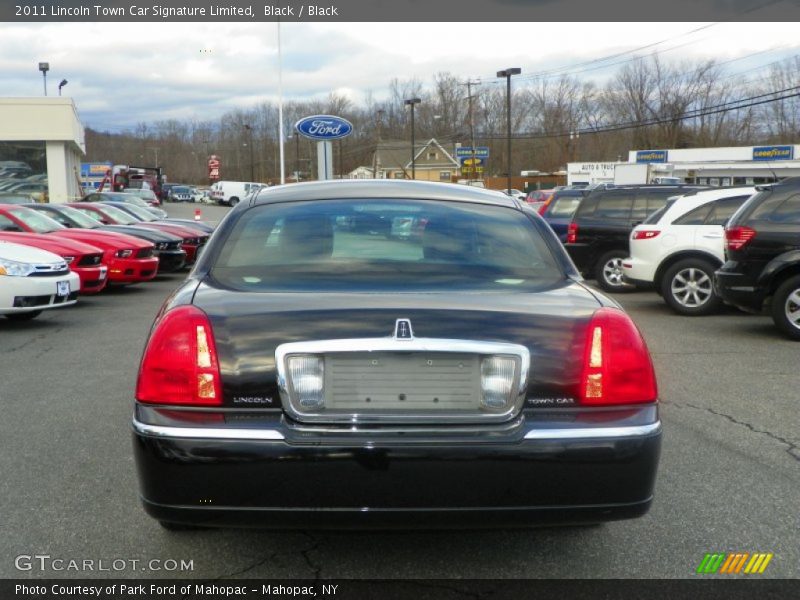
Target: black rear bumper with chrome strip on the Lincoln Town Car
275, 476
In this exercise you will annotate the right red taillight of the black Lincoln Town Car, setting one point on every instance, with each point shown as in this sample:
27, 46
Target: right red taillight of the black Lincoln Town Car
617, 368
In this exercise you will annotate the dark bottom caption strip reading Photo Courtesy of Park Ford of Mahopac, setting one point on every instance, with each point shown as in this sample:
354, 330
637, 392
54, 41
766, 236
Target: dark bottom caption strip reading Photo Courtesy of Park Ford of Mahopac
398, 589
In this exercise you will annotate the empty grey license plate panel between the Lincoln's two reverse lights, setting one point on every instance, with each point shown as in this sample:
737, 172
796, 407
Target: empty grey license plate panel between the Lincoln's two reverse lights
411, 382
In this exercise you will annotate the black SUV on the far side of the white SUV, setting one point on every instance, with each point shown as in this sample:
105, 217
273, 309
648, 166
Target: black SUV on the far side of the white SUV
597, 237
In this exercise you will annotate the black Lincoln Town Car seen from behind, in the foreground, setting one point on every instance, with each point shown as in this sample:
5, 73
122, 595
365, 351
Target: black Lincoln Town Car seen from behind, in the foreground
322, 368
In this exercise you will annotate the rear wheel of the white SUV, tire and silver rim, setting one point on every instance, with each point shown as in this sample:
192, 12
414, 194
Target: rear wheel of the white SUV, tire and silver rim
688, 288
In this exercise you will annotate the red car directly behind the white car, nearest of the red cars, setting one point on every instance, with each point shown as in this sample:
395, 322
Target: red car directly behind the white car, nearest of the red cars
83, 259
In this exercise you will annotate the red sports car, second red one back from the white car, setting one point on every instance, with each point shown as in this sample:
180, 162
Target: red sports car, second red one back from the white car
129, 259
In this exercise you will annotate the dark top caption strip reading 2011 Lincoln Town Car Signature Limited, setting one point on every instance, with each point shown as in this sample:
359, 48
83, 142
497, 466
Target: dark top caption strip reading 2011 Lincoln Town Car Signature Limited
442, 11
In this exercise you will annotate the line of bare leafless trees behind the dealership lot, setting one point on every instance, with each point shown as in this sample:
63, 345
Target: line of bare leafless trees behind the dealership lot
646, 104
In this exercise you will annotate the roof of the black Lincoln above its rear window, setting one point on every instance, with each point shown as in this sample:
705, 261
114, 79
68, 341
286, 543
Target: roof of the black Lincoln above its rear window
381, 188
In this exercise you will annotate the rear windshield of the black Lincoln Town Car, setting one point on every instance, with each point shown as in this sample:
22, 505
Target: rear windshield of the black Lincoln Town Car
384, 245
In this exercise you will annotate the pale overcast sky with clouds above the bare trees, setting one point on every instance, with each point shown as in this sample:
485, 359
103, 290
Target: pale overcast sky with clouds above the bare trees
121, 74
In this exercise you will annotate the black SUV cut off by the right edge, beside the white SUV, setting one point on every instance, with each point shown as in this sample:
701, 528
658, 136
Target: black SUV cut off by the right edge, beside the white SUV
762, 248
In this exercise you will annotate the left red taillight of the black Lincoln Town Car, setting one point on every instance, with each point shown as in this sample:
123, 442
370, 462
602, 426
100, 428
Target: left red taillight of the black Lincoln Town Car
179, 365
